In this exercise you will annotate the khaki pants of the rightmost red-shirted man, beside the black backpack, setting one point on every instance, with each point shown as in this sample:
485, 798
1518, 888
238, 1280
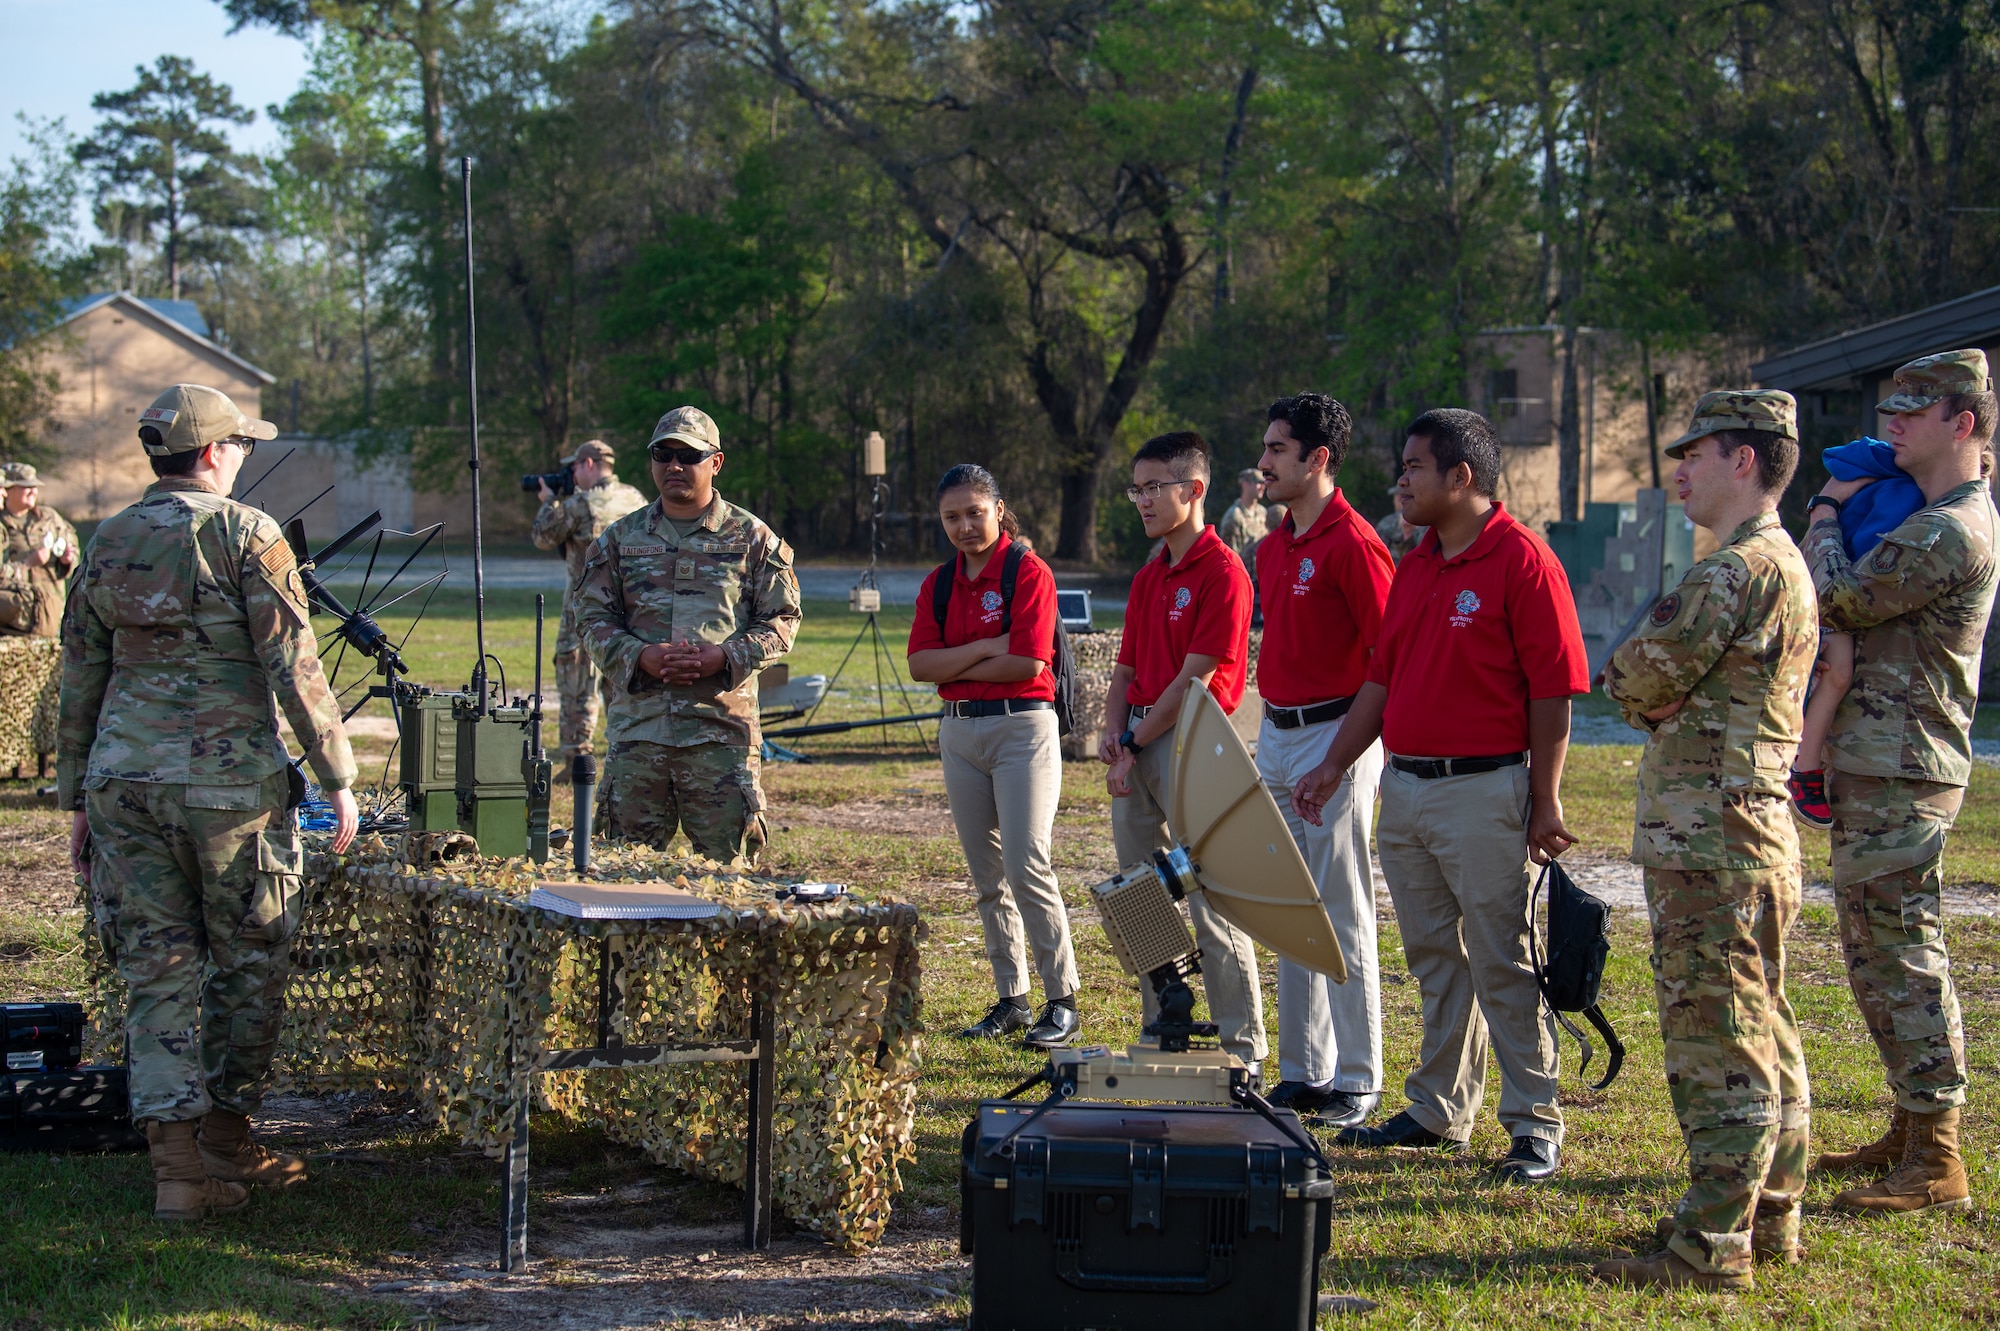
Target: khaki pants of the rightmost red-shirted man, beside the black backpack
1455, 854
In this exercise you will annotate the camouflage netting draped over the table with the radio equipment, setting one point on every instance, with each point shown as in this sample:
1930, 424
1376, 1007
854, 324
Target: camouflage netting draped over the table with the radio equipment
443, 982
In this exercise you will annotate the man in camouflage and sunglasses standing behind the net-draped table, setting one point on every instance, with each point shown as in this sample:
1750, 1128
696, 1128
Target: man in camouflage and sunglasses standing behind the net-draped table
681, 607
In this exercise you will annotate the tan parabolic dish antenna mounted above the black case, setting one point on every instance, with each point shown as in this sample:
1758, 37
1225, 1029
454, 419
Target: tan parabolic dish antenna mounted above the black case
1243, 852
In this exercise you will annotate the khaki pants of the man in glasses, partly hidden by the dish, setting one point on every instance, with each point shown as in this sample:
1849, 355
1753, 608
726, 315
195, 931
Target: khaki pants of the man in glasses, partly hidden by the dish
1229, 960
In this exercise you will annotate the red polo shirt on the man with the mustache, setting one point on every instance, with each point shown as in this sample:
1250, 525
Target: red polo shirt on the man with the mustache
1323, 607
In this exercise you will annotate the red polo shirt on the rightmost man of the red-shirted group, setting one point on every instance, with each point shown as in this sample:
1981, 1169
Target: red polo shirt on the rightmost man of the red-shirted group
1467, 643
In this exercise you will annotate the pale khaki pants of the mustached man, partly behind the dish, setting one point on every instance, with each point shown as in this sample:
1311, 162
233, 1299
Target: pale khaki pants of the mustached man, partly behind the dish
1331, 1032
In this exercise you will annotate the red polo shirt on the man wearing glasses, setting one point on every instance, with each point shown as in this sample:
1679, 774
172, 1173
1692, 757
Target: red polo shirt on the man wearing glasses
1195, 609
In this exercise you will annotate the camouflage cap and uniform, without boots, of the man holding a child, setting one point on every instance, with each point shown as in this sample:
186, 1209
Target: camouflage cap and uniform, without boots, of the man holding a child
1899, 754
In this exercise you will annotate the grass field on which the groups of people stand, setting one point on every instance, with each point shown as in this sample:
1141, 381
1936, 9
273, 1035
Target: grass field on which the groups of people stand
1425, 1238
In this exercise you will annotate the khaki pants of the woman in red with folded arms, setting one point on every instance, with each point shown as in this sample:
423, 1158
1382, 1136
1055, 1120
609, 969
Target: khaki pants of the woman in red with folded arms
1003, 776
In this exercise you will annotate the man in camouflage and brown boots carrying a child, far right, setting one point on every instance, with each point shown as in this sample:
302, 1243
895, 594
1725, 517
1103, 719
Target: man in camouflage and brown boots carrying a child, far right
1899, 758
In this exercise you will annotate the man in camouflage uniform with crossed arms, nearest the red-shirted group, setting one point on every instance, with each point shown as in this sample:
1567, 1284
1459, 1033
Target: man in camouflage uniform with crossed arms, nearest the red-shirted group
1719, 676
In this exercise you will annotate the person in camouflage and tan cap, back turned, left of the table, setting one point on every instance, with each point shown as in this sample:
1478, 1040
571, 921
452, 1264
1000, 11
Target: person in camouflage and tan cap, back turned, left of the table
185, 621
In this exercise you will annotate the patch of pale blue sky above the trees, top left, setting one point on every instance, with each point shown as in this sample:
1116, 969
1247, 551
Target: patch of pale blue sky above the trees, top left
63, 53
